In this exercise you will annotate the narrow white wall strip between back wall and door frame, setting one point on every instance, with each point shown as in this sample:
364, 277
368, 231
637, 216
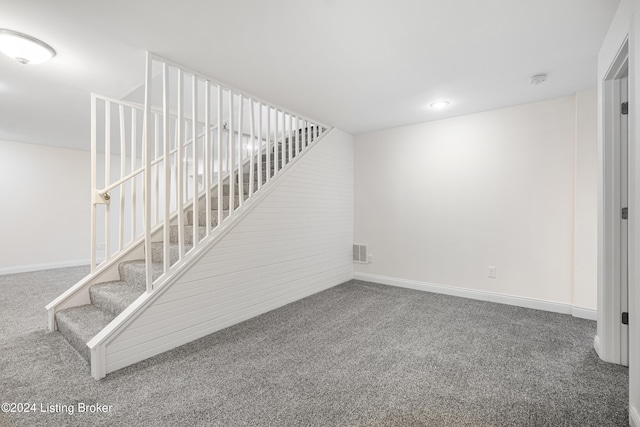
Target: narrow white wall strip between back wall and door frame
585, 256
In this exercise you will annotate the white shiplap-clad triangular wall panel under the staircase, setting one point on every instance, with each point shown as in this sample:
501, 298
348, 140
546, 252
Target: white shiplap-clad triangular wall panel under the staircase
297, 241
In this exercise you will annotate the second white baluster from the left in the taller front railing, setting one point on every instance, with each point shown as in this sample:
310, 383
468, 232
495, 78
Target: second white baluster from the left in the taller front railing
167, 168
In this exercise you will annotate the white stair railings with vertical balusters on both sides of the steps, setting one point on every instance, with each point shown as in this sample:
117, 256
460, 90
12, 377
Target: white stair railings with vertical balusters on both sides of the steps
193, 138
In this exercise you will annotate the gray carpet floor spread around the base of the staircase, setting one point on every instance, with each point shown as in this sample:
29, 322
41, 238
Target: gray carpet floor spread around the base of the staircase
357, 354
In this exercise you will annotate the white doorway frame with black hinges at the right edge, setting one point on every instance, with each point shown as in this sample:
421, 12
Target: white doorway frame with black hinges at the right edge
613, 302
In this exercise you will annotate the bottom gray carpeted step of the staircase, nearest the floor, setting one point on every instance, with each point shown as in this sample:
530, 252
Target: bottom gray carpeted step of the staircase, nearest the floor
79, 324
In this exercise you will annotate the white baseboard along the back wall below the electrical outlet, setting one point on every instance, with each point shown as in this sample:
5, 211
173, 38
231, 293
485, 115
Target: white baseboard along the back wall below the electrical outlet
536, 304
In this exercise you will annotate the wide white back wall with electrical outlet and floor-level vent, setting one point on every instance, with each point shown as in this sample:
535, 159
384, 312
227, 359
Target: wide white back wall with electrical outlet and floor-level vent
439, 202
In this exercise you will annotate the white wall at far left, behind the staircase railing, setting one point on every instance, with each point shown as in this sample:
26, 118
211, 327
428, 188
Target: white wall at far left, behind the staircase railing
44, 220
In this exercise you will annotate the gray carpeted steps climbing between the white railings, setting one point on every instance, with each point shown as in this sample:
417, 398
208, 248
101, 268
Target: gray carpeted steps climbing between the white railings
108, 299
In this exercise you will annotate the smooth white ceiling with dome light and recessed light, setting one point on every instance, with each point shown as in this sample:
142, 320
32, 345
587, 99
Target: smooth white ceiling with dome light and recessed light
359, 65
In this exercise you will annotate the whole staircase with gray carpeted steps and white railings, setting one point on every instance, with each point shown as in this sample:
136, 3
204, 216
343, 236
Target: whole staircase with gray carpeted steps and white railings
173, 180
